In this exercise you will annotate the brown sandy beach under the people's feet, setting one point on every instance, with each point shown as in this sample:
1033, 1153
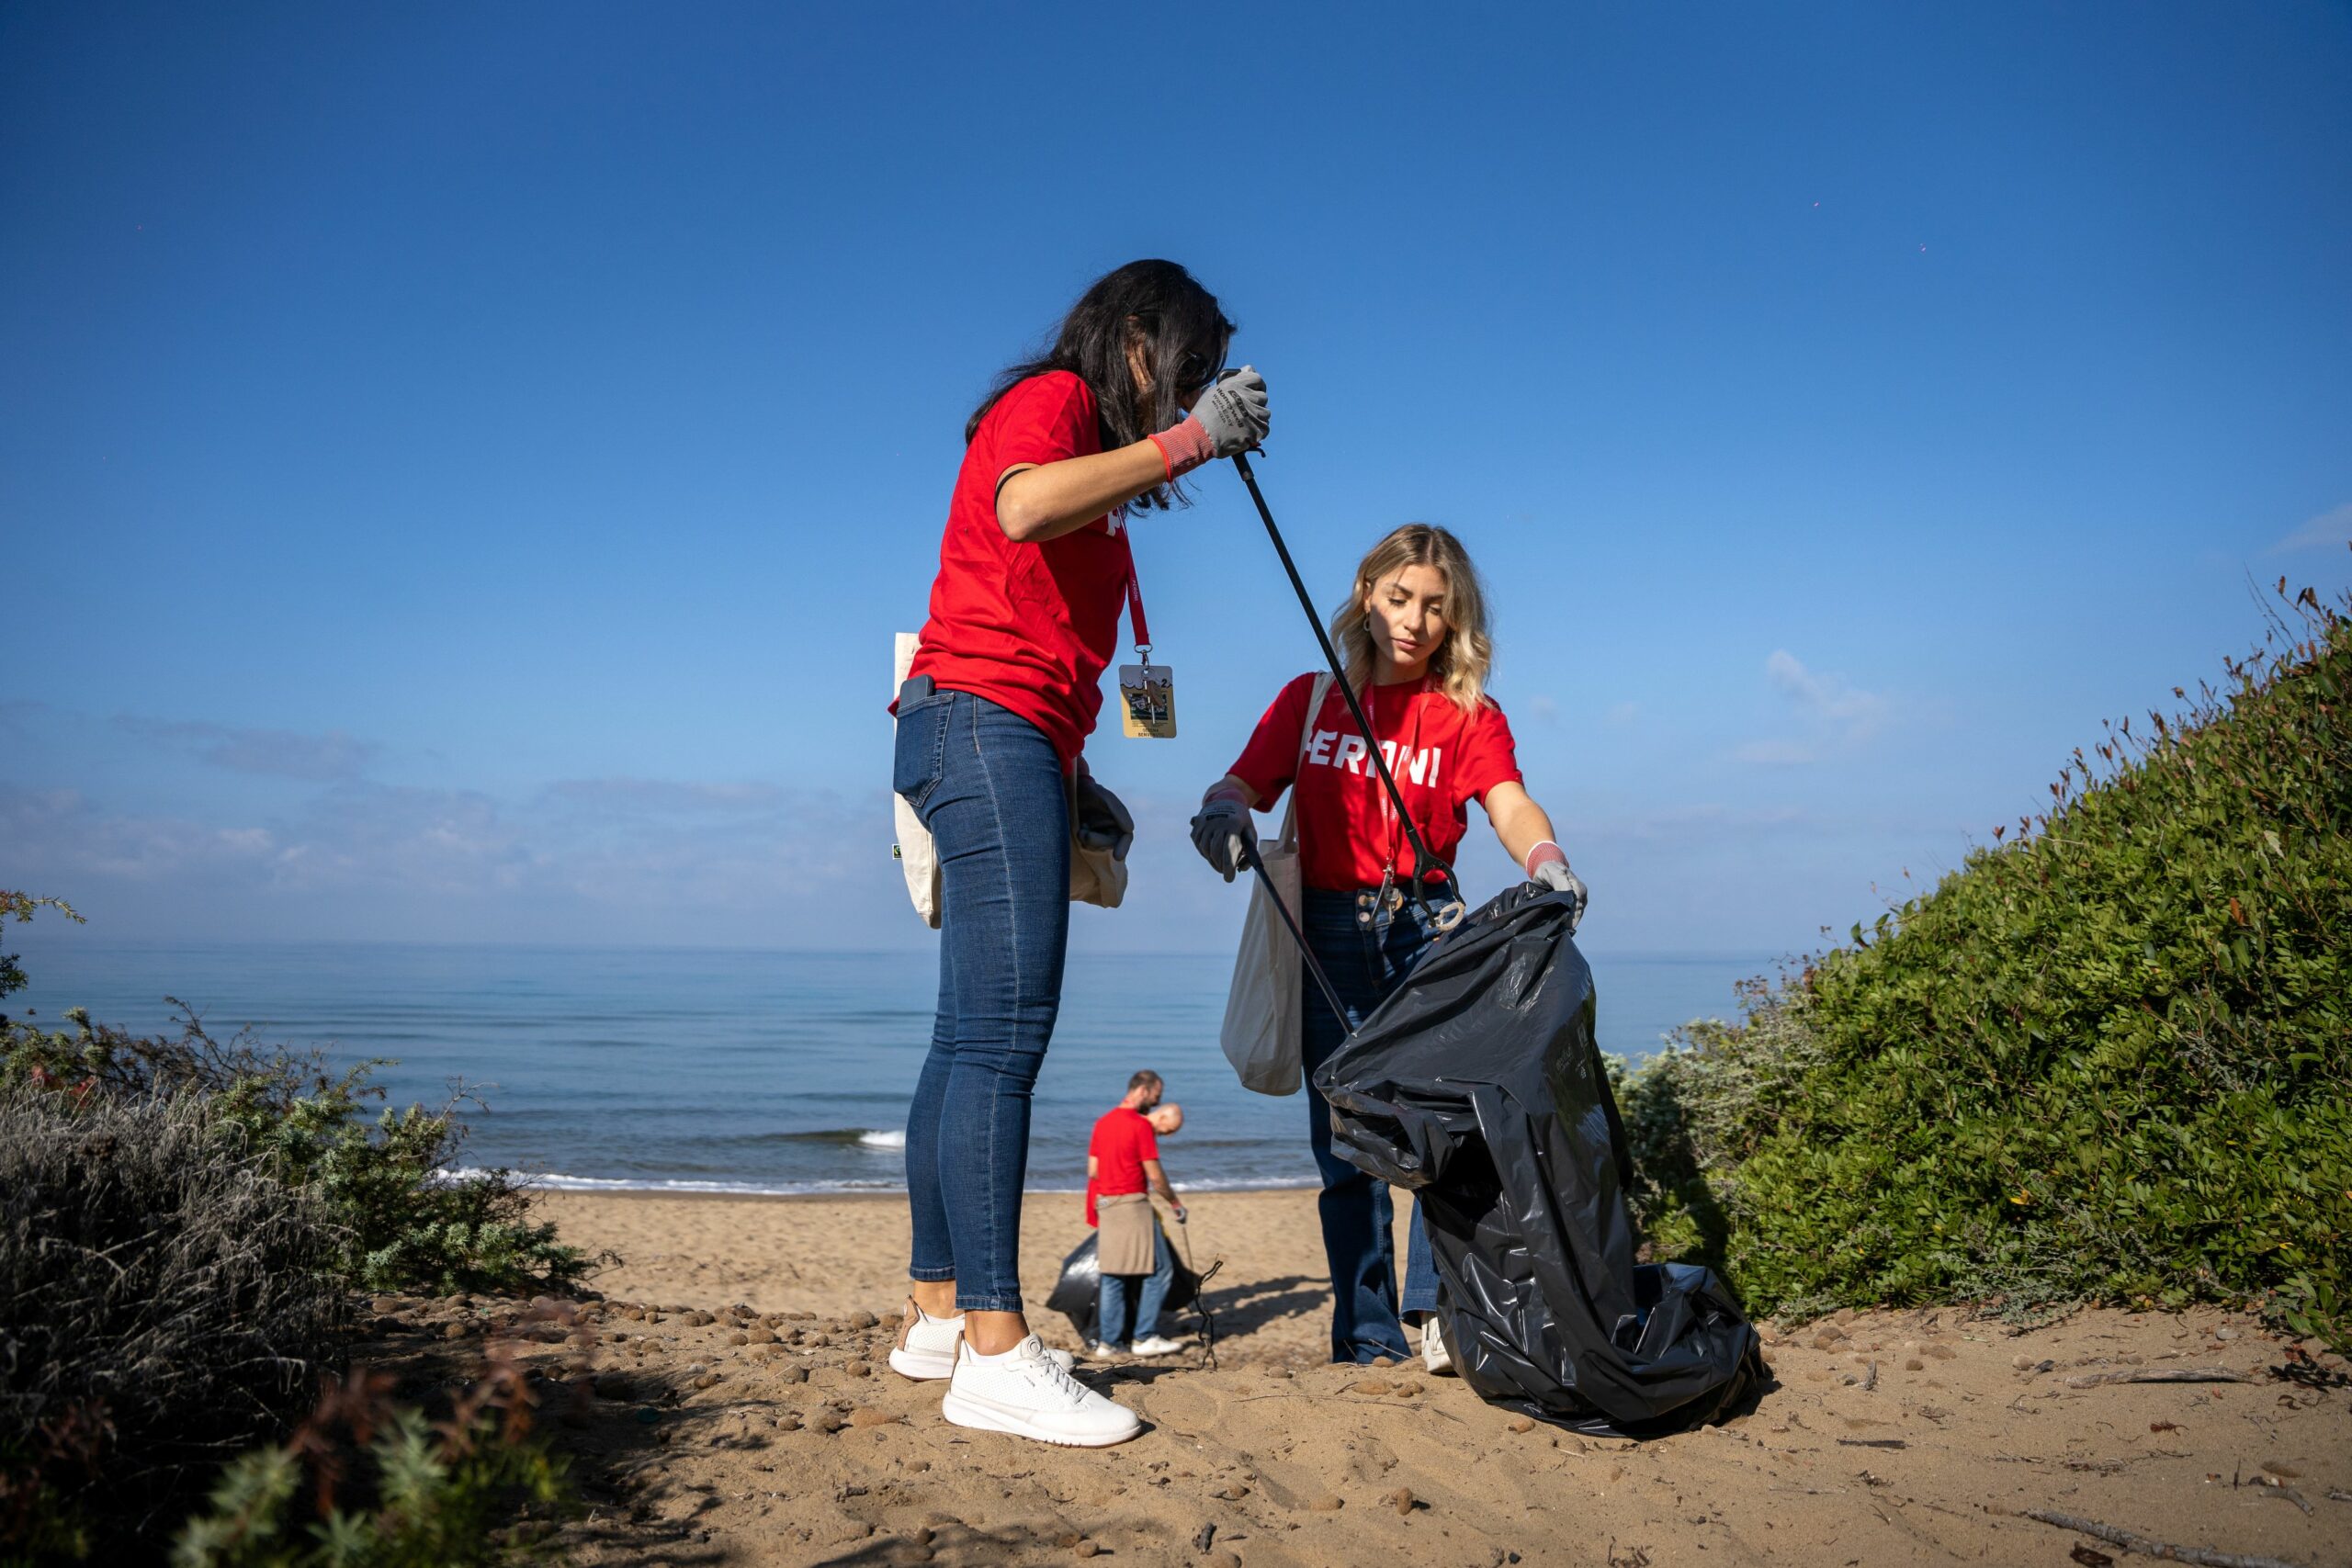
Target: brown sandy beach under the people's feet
728, 1405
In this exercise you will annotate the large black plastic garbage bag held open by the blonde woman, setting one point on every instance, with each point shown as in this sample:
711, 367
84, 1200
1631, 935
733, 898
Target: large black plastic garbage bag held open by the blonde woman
1481, 1087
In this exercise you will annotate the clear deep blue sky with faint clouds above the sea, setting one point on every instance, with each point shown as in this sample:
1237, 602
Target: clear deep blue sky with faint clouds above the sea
460, 469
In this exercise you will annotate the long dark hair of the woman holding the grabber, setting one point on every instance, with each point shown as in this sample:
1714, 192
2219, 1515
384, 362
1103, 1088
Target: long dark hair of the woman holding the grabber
1184, 347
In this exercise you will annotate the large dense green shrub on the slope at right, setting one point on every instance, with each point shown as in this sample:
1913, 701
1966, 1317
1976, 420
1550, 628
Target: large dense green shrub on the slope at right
2106, 1059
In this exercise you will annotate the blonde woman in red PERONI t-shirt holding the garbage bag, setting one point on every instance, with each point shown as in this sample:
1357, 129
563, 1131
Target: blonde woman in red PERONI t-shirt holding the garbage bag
1415, 638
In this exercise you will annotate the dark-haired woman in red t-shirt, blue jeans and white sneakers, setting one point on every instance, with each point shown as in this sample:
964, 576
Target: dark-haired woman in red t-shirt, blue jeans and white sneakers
991, 730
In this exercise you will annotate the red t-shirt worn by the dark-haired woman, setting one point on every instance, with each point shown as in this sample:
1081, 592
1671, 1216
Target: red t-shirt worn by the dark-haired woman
1027, 626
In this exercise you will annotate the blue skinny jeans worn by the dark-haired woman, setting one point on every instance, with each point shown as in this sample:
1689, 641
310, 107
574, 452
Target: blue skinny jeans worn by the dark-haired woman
991, 791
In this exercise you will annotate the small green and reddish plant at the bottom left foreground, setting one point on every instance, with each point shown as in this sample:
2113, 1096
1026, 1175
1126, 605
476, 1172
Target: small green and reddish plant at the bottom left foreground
370, 1485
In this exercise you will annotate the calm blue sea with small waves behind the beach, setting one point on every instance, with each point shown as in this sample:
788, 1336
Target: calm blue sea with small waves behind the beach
761, 1073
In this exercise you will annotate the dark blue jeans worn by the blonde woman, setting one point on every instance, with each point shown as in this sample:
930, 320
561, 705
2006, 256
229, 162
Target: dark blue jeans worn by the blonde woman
1365, 960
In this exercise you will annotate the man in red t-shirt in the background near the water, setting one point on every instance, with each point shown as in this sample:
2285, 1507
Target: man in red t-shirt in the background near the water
1123, 1172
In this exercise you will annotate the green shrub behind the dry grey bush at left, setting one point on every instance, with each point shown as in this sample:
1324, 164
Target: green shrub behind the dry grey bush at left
399, 1219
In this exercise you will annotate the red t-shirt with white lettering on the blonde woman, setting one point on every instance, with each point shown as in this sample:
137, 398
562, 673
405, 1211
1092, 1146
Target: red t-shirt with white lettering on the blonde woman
1441, 756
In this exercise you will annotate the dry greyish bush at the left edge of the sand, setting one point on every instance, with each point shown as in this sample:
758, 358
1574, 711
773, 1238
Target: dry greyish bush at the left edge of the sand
163, 1304
